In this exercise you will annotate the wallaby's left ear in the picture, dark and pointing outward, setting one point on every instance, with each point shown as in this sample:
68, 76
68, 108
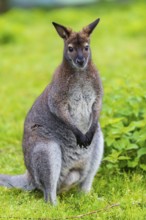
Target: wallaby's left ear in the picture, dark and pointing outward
62, 31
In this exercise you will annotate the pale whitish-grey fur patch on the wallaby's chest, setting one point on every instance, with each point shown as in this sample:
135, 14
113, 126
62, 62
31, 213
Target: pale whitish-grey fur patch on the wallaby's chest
81, 98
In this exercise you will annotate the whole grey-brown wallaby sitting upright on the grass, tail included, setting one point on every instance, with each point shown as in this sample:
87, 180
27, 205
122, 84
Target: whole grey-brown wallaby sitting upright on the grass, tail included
63, 141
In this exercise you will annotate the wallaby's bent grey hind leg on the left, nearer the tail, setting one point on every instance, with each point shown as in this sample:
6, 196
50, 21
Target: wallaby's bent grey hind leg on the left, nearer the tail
46, 163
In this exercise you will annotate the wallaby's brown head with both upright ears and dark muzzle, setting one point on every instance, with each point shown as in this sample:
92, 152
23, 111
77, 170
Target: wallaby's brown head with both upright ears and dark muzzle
76, 44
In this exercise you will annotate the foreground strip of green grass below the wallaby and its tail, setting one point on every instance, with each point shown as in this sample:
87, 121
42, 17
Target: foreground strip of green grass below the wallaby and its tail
128, 190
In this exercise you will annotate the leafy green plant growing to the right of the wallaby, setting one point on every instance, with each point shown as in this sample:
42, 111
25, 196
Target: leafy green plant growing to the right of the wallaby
125, 131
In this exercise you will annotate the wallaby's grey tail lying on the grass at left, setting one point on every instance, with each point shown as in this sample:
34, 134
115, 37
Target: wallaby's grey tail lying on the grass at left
21, 181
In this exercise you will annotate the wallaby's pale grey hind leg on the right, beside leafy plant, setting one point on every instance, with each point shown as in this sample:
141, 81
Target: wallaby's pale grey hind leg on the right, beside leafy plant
97, 155
